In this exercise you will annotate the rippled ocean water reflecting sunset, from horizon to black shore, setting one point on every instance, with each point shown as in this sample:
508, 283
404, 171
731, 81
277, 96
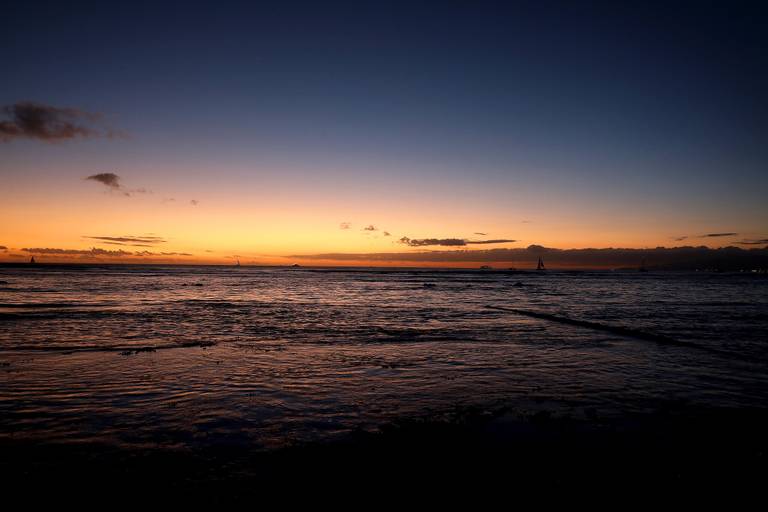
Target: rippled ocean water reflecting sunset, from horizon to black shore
190, 356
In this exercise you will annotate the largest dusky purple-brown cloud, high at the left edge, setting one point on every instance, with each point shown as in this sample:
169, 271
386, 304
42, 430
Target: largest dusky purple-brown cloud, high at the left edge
29, 120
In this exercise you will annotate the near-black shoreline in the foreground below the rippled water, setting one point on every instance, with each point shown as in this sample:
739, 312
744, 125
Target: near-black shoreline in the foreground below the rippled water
659, 452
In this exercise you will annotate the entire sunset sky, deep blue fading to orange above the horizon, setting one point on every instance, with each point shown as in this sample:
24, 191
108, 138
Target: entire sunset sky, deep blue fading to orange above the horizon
277, 133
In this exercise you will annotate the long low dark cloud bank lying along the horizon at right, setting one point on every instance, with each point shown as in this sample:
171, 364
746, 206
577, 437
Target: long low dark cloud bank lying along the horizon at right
673, 258
